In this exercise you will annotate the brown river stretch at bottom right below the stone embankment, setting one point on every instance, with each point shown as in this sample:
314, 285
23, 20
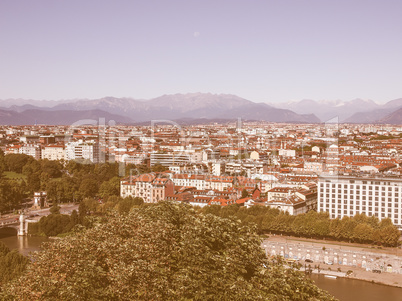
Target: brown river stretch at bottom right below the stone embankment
353, 290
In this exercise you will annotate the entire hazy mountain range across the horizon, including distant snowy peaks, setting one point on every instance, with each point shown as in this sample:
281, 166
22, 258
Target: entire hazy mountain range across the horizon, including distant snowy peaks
194, 108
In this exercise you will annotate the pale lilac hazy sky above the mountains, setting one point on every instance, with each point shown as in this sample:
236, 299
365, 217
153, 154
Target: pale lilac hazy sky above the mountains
261, 50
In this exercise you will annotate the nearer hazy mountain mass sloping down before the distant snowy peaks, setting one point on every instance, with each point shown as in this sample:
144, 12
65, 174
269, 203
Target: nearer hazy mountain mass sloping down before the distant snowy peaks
195, 106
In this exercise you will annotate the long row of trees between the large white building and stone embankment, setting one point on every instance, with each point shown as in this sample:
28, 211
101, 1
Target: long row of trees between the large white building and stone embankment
359, 228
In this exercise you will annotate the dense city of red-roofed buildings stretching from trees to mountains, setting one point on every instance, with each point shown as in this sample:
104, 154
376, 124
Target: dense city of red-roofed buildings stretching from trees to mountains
287, 166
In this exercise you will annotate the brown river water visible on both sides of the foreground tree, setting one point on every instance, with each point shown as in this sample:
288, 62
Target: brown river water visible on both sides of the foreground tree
342, 288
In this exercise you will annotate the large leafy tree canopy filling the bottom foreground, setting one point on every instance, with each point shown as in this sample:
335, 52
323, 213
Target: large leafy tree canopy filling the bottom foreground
164, 251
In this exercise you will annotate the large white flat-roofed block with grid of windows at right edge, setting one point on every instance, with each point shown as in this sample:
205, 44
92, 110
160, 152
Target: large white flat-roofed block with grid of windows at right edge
348, 195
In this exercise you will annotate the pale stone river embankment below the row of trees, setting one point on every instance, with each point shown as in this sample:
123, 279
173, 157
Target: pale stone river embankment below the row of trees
339, 270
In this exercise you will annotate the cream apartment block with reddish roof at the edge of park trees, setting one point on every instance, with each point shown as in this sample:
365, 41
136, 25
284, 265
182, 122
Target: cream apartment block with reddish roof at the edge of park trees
148, 187
